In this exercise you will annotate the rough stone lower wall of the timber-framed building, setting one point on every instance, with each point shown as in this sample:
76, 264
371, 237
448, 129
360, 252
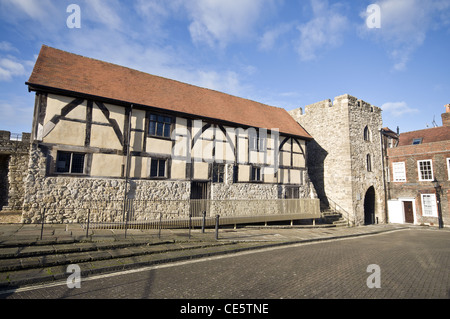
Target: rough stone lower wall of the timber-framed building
67, 199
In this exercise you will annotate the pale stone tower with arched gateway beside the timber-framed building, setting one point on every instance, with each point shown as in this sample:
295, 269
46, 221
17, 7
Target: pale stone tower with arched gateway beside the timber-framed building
345, 159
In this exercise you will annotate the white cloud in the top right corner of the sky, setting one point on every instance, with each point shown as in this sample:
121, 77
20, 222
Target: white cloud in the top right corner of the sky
404, 26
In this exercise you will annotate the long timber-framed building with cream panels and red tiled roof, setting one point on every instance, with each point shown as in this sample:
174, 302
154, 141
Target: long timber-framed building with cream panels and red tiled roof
102, 131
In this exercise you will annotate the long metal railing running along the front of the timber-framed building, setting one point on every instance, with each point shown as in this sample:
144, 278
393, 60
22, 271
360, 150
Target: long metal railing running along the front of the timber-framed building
176, 214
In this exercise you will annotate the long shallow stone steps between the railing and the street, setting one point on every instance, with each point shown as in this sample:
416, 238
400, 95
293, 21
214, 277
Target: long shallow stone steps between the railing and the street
27, 259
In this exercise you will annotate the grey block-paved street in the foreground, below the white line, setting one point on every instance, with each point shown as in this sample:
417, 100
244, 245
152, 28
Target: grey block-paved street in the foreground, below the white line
413, 263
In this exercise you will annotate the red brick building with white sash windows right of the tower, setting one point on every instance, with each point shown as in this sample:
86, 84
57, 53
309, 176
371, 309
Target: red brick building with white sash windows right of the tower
419, 163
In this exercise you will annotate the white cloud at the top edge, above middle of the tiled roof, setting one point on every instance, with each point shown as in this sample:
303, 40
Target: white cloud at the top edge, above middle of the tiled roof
217, 23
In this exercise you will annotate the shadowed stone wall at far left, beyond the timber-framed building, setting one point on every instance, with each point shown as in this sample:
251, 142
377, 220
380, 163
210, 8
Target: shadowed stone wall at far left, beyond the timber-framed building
14, 155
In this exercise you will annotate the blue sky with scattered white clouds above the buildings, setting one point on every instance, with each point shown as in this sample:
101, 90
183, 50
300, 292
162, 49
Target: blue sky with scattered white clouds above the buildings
284, 53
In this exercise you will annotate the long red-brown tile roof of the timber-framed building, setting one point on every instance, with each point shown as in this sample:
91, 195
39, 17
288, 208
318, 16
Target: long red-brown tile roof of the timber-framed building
56, 69
